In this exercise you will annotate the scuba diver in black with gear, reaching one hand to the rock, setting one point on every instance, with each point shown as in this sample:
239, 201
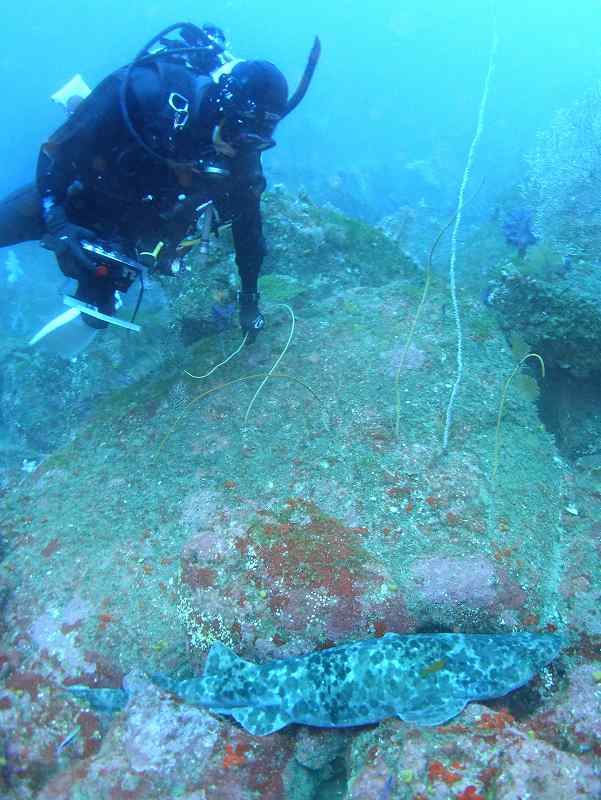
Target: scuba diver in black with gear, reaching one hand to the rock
161, 153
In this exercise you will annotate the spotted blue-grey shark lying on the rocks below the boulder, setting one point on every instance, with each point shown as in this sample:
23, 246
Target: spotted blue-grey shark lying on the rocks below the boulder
425, 679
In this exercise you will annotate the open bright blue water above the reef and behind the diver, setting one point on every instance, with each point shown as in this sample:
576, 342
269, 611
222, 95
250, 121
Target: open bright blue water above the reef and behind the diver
397, 81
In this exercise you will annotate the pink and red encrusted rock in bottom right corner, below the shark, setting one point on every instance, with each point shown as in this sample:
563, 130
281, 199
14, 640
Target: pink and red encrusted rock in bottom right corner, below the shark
486, 754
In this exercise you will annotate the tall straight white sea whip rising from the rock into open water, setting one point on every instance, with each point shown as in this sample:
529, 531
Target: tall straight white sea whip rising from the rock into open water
460, 201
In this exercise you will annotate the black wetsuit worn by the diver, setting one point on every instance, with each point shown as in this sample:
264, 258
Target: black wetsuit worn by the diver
108, 182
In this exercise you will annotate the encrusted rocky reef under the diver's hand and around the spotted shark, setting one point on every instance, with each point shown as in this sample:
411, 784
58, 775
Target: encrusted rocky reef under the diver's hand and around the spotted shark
163, 513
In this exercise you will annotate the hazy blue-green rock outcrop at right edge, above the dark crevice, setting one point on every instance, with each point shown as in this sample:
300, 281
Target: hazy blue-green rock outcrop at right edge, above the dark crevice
555, 312
